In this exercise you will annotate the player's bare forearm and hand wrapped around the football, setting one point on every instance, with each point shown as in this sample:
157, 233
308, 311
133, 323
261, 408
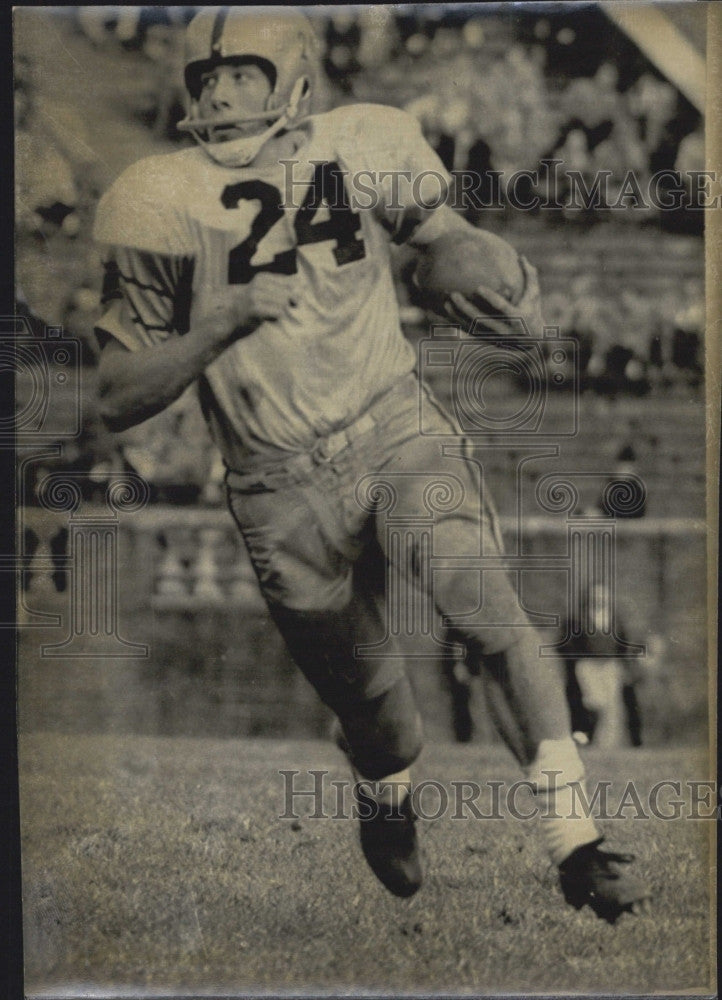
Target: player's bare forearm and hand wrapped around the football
444, 221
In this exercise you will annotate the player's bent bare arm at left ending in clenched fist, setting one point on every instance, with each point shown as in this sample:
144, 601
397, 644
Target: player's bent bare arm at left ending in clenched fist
138, 378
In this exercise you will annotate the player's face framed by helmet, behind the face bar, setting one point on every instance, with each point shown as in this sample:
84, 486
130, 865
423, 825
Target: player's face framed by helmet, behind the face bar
229, 92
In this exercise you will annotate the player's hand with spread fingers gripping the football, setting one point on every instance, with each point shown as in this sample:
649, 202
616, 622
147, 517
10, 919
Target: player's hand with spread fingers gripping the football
496, 313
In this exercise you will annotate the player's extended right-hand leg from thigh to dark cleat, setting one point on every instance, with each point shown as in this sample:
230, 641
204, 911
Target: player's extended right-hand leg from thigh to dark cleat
526, 690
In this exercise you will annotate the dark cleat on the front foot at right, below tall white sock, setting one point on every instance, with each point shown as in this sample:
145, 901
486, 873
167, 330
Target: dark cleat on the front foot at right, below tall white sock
602, 880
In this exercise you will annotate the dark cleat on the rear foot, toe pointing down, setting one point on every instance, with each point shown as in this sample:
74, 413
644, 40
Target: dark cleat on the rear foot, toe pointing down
389, 843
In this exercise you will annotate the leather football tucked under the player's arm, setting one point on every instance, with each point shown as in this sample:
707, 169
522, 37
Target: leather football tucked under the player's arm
462, 261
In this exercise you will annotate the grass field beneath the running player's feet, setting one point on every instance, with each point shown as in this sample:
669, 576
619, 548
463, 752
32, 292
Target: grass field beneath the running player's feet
161, 865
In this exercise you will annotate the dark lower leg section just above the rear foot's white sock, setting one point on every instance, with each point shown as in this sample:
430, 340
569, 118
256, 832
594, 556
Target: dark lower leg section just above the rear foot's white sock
384, 734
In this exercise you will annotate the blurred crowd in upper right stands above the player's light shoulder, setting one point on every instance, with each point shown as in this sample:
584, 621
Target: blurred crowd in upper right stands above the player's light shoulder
501, 94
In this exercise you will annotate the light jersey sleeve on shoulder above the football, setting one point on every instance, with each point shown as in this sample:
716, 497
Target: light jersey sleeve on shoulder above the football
391, 156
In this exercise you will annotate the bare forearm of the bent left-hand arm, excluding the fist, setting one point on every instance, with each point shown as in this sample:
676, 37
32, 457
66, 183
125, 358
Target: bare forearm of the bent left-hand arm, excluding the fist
136, 385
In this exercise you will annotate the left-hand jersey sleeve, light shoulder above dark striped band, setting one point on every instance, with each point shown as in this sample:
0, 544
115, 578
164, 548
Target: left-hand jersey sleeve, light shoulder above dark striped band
147, 260
